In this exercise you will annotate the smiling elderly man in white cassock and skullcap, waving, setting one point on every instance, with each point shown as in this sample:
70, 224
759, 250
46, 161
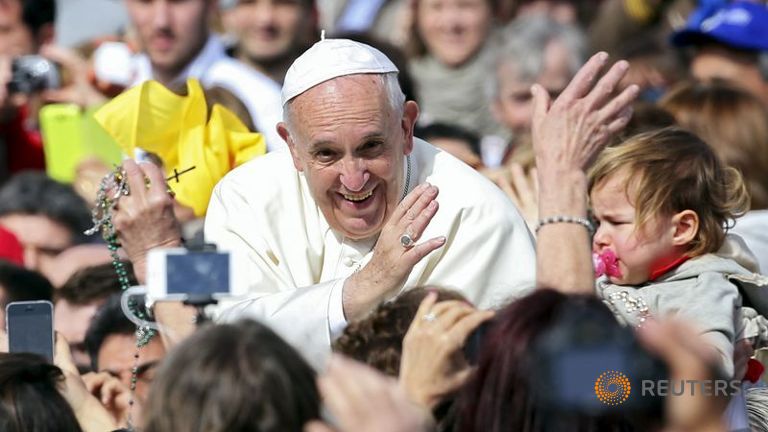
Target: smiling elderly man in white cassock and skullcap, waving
355, 211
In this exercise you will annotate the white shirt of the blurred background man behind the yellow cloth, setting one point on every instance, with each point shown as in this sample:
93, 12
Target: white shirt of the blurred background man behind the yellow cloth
212, 66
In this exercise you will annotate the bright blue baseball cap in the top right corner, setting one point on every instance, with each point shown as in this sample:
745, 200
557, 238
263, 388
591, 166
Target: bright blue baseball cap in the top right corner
741, 25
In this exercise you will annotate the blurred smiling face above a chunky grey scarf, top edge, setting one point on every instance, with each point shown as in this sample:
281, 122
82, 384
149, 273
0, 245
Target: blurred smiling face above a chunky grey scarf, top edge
453, 30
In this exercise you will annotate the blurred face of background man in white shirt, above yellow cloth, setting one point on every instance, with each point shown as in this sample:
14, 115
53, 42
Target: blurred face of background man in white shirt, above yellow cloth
172, 32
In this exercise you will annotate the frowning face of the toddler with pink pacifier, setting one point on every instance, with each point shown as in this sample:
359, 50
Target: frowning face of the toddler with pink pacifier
639, 250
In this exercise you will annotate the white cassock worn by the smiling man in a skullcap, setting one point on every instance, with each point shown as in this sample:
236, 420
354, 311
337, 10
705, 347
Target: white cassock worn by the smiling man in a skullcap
298, 264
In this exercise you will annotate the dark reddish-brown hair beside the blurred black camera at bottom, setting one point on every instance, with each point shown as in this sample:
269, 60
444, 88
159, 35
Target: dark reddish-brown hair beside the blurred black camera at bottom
499, 396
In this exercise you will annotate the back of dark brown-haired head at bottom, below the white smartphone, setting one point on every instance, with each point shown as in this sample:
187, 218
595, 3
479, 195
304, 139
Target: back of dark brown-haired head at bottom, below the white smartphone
233, 378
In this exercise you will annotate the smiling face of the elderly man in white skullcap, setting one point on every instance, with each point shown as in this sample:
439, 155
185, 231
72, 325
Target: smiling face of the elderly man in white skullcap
350, 145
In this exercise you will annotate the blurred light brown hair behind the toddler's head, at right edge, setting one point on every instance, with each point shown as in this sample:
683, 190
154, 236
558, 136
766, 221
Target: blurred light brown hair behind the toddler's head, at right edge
734, 122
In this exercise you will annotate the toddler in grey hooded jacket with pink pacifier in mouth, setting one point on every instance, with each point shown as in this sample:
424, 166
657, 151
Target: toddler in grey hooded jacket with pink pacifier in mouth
664, 202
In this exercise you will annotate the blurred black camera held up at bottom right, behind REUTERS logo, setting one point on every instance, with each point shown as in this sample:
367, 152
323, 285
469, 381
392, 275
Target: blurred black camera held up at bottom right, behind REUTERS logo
588, 364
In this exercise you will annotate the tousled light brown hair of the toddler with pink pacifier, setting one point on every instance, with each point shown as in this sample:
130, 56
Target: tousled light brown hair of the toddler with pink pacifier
671, 170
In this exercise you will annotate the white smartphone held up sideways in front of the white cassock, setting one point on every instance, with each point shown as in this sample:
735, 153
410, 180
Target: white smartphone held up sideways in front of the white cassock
177, 274
